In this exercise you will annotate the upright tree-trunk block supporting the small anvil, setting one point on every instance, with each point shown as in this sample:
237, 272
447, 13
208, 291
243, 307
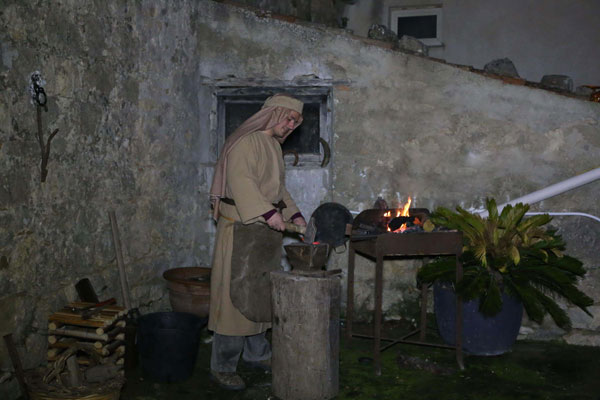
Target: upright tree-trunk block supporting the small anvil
306, 316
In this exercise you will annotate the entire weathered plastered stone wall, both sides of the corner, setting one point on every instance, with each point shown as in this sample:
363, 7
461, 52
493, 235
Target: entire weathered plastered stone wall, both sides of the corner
130, 88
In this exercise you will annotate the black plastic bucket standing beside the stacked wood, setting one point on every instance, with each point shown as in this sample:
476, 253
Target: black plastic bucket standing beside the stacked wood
167, 344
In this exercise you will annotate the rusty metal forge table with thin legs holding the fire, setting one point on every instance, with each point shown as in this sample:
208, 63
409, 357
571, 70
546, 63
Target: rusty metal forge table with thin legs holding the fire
404, 244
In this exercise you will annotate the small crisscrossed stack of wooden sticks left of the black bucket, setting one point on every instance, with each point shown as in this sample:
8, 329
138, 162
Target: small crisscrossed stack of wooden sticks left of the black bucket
89, 341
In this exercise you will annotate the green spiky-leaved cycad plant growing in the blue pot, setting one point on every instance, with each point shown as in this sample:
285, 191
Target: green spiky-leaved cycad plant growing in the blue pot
510, 253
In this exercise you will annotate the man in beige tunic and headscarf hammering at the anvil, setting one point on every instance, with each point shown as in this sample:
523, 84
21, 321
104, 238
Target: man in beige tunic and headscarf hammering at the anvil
249, 196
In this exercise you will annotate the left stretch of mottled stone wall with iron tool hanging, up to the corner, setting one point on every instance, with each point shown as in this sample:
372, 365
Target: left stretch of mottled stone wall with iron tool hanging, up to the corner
121, 86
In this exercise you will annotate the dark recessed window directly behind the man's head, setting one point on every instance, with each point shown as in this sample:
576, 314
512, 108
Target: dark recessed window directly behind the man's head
235, 105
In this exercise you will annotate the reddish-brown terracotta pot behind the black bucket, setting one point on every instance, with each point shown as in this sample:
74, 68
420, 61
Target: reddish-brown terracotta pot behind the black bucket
189, 289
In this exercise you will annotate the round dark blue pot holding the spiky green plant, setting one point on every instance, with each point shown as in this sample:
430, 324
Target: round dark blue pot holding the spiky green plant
482, 335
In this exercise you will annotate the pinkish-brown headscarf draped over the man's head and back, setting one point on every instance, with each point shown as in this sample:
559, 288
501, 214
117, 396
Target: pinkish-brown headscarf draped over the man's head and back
275, 109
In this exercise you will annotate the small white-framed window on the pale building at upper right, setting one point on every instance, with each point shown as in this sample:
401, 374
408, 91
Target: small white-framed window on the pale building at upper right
424, 23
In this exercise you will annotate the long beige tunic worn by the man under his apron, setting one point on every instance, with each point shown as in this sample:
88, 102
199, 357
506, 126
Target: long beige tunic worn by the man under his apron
255, 179
